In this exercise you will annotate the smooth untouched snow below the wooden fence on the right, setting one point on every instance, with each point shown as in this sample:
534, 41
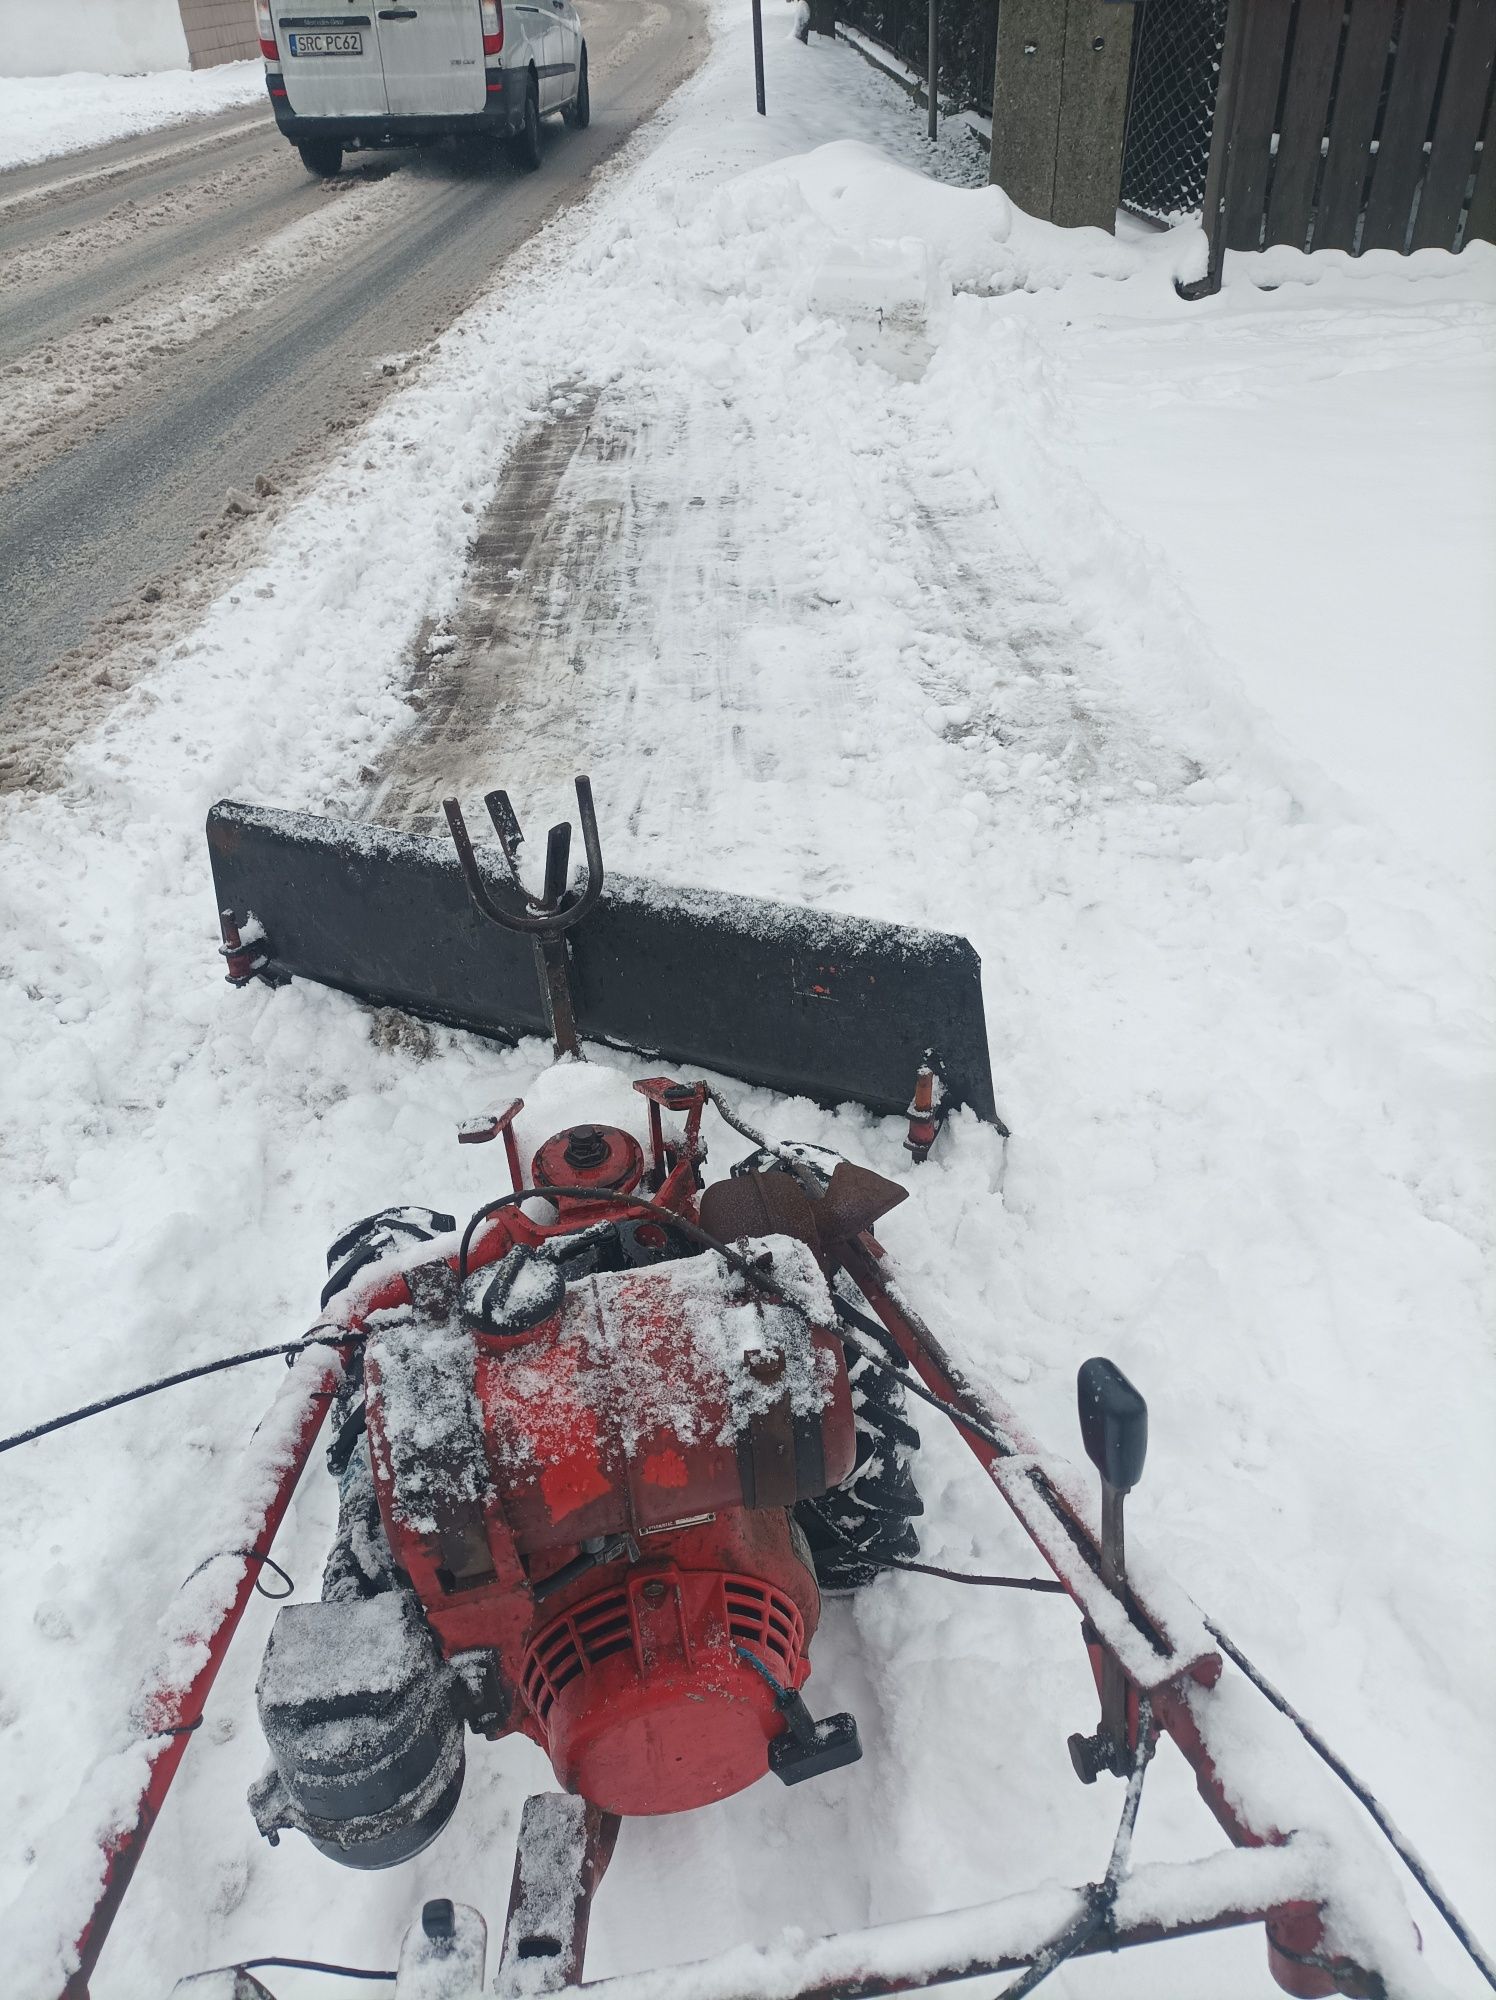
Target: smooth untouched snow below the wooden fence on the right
1343, 603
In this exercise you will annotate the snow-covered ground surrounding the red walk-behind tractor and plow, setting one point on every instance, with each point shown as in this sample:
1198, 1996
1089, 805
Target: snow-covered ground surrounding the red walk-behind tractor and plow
1019, 613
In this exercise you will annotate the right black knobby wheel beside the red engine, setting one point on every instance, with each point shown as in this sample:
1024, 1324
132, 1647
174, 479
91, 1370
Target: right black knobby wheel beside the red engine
867, 1523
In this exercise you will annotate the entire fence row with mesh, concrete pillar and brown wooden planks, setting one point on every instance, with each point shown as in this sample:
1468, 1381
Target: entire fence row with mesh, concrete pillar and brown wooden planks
1327, 125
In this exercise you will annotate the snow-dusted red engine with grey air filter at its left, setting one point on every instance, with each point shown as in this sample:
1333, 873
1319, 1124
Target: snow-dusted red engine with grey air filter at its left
567, 1501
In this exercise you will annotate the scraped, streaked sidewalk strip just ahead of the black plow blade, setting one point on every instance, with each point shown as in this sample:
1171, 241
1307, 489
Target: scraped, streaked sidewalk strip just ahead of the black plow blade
637, 561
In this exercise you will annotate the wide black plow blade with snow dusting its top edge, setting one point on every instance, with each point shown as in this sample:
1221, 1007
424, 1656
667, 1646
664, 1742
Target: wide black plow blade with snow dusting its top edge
799, 1001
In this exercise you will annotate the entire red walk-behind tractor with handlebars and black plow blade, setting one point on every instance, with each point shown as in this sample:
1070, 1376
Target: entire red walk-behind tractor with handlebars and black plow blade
603, 1447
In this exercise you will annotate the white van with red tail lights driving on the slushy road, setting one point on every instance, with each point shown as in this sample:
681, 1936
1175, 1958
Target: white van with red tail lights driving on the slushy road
359, 73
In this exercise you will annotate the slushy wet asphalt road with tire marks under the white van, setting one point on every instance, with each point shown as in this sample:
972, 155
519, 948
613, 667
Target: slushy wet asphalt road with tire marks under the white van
147, 371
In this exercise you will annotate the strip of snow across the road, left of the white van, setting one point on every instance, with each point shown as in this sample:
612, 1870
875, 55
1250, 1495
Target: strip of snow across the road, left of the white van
43, 117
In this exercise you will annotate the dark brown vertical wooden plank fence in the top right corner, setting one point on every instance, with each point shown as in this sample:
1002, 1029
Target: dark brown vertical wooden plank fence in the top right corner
1353, 125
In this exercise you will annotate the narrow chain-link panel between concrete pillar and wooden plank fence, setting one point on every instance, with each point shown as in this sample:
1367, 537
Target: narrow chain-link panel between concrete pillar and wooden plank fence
1173, 103
